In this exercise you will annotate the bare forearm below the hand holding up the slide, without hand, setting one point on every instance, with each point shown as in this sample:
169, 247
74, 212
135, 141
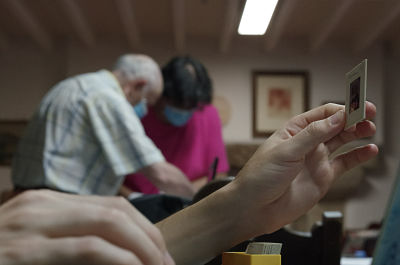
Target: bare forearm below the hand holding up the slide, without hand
199, 233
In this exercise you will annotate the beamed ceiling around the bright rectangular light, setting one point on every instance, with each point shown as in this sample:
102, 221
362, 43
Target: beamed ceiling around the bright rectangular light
355, 24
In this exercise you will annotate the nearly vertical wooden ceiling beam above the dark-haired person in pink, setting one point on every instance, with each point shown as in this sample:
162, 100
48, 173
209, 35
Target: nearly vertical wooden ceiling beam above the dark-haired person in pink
178, 16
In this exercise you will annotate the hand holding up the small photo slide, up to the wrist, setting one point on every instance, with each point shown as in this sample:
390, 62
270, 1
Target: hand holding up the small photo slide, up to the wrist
294, 169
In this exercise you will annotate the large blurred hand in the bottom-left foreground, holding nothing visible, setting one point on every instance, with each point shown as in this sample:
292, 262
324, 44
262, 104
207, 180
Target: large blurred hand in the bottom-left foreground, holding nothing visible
45, 227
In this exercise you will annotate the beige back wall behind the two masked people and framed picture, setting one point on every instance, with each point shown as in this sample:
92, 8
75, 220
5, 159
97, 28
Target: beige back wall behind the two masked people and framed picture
26, 74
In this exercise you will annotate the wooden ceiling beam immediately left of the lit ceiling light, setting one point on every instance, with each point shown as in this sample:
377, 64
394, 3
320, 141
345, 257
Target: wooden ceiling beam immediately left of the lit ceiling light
230, 24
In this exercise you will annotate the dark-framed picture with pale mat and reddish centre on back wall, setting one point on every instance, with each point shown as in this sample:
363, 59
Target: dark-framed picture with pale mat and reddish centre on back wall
277, 96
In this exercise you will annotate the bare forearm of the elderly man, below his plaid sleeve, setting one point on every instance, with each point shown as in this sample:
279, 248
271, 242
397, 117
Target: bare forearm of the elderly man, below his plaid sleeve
169, 179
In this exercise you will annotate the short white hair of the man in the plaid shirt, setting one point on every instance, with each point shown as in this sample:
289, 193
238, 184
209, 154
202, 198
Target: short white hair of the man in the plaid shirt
134, 66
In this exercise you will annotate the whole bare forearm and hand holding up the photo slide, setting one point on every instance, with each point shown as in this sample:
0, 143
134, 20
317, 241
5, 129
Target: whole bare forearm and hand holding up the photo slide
288, 174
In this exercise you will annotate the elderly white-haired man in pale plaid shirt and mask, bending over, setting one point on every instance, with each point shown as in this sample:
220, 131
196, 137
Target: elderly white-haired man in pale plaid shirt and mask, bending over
85, 138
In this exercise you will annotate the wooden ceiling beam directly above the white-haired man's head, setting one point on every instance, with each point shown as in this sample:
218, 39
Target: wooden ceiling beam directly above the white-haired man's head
125, 12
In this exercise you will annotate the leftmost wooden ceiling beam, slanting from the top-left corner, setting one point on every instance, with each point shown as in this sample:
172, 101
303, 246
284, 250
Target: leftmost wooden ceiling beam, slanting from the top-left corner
30, 23
